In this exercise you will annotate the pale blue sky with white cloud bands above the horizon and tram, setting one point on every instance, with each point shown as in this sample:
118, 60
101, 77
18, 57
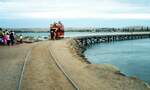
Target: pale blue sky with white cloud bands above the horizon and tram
74, 13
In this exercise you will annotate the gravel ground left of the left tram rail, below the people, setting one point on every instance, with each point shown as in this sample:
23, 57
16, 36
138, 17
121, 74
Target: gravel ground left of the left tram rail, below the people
11, 61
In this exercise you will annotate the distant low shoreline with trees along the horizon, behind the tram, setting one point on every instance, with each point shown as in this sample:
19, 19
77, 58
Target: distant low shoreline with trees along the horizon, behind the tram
86, 29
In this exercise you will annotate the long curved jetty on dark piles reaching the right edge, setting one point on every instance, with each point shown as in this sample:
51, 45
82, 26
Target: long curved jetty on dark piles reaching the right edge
88, 40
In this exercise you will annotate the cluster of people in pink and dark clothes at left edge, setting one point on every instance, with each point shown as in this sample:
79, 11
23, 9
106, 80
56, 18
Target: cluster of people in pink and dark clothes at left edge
6, 37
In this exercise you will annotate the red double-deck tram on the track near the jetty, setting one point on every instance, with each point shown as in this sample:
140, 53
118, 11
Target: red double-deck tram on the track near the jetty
57, 31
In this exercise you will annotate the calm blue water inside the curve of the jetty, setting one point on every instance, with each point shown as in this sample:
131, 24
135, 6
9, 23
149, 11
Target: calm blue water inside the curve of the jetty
132, 57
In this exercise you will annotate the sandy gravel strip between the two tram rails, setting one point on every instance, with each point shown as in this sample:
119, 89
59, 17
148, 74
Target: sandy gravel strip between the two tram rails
42, 73
